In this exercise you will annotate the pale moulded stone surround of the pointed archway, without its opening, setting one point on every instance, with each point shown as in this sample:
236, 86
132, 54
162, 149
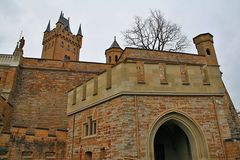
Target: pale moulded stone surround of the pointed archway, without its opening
186, 123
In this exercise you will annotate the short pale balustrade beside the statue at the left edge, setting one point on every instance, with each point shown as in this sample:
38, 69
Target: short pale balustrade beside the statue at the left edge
9, 60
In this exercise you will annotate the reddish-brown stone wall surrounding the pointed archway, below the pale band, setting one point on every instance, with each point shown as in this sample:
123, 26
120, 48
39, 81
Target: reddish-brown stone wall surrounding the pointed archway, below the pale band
123, 125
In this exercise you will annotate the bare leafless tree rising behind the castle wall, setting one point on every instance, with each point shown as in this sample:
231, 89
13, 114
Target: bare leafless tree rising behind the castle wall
156, 33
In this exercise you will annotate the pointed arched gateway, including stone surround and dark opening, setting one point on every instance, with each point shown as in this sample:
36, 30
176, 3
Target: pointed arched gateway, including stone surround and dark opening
175, 136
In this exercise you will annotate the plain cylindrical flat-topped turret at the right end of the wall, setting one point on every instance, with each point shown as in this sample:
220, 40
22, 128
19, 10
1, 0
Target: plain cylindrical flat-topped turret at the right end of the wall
204, 46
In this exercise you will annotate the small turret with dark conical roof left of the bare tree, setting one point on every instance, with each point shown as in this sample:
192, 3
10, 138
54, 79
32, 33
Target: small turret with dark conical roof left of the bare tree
113, 53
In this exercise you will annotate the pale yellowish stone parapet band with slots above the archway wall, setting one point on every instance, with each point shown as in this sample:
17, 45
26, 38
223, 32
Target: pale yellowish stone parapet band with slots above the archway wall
145, 78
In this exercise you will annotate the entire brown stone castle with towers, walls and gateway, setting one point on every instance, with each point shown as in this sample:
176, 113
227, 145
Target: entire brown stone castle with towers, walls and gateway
140, 104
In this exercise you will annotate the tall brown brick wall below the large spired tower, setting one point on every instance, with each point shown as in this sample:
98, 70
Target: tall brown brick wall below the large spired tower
40, 95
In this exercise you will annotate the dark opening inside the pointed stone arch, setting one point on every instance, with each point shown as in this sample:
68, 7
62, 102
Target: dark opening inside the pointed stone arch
171, 143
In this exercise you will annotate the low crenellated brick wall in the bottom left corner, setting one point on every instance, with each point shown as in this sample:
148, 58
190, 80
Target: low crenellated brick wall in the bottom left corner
32, 144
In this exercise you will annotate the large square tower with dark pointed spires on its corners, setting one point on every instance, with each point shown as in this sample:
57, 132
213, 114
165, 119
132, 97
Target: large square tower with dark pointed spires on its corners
60, 43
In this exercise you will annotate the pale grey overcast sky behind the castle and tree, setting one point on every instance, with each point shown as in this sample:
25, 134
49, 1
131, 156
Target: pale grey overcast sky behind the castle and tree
102, 20
